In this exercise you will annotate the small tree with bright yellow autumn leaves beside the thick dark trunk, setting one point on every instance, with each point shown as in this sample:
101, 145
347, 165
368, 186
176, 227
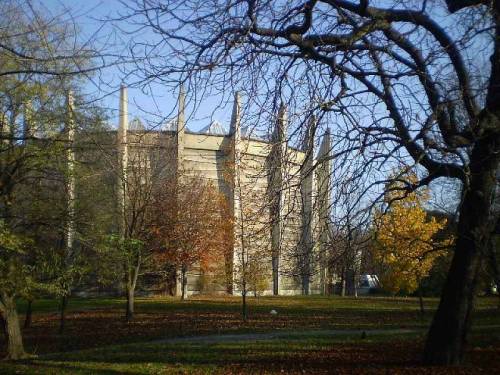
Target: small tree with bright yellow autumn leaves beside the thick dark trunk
405, 243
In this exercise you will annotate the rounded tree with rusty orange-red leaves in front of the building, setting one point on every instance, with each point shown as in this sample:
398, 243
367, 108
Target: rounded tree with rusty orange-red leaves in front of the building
191, 226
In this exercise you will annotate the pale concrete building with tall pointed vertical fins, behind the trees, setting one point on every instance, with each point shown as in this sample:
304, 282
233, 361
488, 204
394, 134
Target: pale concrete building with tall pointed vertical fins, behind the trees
279, 195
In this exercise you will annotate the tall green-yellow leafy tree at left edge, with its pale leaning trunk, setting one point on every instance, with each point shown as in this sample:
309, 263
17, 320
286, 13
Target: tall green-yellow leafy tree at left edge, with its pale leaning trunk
40, 60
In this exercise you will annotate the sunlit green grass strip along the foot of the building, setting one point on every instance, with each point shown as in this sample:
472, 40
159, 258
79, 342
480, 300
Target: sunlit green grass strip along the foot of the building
349, 312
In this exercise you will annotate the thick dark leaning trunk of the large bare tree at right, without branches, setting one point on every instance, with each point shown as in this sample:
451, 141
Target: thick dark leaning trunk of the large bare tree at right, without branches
448, 332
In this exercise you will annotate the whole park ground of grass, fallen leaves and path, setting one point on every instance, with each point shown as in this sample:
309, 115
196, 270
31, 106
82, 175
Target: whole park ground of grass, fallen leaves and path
207, 335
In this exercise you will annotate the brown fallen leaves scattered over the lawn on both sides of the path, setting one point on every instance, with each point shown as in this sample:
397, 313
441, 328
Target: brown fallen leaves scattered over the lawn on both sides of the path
94, 325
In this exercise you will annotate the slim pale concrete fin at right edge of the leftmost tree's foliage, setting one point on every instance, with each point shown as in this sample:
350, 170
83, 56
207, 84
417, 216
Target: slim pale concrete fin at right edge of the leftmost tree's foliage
70, 178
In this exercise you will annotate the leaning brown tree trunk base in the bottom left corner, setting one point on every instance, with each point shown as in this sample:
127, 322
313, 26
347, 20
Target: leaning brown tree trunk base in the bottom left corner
15, 347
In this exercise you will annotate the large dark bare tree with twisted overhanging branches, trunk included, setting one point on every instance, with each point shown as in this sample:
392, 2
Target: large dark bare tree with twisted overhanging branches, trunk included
415, 81
